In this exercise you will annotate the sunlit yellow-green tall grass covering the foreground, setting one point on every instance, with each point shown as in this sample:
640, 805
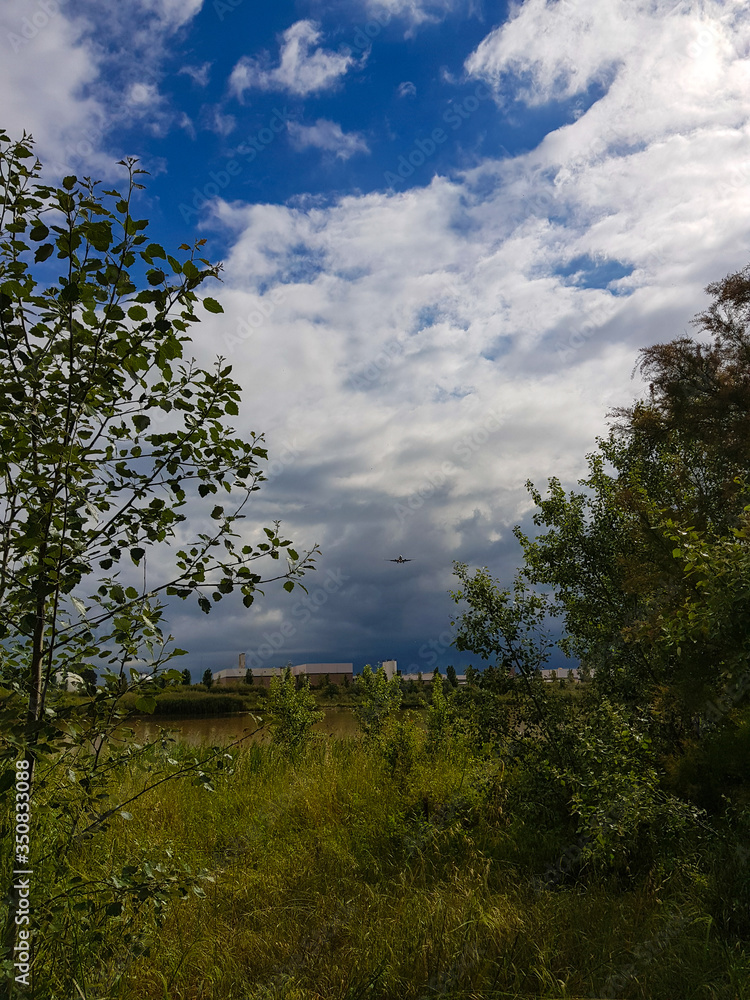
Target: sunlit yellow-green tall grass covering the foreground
357, 870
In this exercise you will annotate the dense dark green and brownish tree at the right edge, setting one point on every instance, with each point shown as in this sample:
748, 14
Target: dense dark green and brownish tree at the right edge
674, 469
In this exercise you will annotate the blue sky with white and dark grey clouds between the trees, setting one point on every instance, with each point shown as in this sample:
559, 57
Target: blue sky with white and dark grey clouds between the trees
447, 227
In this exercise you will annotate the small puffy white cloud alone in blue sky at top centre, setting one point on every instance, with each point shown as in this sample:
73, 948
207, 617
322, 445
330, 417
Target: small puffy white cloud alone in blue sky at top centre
303, 68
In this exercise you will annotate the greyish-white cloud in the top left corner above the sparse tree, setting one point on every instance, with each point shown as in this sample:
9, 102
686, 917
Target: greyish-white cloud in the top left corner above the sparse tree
73, 75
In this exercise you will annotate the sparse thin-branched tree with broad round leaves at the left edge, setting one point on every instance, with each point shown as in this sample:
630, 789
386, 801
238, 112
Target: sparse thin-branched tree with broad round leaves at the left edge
121, 437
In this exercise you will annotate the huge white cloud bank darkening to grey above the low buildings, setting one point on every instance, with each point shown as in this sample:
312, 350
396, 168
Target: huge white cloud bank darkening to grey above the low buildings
480, 328
